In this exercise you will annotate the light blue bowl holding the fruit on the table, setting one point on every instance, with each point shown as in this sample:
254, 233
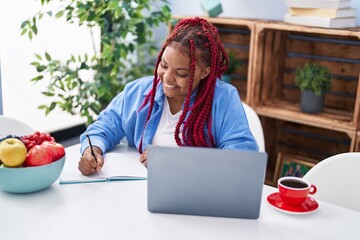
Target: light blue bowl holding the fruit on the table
30, 179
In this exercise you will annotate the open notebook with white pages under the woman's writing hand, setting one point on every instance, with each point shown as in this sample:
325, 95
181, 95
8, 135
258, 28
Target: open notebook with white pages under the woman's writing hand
120, 164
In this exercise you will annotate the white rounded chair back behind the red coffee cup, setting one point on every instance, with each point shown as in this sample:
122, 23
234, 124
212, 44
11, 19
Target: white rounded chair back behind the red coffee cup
337, 179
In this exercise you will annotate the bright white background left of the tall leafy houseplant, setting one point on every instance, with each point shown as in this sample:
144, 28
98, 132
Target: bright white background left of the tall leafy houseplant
20, 96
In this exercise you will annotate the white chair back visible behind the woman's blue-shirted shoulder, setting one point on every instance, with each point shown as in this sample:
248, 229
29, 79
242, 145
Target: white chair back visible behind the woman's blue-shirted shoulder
255, 126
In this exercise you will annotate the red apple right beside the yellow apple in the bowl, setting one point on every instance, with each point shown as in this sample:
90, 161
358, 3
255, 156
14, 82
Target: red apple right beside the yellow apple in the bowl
37, 156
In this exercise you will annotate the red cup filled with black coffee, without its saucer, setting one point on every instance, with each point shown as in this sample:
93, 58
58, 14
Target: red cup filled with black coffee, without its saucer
295, 190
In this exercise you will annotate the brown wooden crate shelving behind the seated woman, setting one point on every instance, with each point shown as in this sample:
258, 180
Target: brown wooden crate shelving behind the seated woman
275, 51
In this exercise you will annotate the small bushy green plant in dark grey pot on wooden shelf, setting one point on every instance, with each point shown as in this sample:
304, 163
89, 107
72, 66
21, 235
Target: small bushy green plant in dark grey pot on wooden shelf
314, 81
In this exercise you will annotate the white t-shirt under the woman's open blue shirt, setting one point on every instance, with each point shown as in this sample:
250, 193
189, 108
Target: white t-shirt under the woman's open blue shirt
164, 135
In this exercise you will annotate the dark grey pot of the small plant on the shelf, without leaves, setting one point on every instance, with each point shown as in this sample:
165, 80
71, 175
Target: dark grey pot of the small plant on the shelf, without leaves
311, 103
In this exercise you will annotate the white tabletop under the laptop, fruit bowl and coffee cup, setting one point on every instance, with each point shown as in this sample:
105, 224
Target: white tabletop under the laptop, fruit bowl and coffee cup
118, 210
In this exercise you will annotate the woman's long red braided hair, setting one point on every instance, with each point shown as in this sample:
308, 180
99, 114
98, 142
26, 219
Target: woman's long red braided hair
201, 39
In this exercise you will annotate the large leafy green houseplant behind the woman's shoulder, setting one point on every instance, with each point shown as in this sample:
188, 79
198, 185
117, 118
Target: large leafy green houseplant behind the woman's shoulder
125, 53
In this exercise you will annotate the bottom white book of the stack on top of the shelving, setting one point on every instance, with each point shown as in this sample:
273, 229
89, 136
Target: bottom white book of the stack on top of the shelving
320, 21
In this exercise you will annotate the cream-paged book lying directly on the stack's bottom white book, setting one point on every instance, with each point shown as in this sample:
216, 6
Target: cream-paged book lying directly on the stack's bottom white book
323, 12
